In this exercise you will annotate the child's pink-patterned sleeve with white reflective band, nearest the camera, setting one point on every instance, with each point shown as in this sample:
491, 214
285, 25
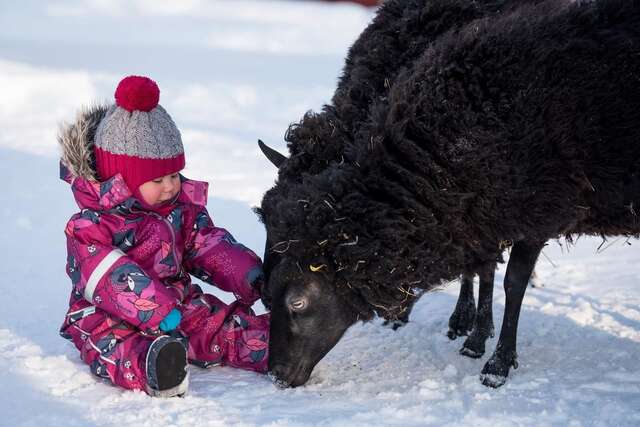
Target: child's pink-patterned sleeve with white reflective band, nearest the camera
107, 278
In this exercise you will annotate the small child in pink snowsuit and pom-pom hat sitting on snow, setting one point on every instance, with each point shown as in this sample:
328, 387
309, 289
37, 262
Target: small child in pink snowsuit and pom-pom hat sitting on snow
143, 228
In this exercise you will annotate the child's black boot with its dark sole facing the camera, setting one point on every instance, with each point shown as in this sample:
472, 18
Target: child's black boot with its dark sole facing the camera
167, 369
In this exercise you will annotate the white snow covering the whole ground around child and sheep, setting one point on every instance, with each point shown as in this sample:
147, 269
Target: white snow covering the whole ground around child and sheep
232, 72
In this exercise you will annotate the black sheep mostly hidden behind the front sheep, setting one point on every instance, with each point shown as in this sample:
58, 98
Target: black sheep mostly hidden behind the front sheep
368, 73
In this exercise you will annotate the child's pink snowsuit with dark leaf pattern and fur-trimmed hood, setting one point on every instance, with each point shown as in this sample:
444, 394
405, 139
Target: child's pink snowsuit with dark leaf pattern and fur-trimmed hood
129, 267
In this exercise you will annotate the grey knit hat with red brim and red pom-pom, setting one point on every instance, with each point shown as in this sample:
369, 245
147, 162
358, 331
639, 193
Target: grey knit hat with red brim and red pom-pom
136, 137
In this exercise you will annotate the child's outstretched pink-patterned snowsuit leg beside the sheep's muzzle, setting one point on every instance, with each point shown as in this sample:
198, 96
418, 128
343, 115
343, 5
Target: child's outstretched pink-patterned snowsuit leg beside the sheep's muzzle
226, 334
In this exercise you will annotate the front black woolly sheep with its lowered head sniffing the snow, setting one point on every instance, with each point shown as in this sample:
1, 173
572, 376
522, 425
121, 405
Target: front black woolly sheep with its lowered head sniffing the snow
506, 130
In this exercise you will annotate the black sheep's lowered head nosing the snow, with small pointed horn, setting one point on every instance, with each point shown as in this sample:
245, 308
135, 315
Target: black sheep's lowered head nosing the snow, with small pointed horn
308, 316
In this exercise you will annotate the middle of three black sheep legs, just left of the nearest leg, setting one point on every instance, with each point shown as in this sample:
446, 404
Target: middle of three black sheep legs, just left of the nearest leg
483, 327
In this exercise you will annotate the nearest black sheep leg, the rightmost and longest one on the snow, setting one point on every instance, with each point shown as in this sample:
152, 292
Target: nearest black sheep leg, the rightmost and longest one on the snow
521, 264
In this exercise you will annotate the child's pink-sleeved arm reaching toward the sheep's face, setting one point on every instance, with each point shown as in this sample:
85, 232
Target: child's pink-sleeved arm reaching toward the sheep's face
213, 255
